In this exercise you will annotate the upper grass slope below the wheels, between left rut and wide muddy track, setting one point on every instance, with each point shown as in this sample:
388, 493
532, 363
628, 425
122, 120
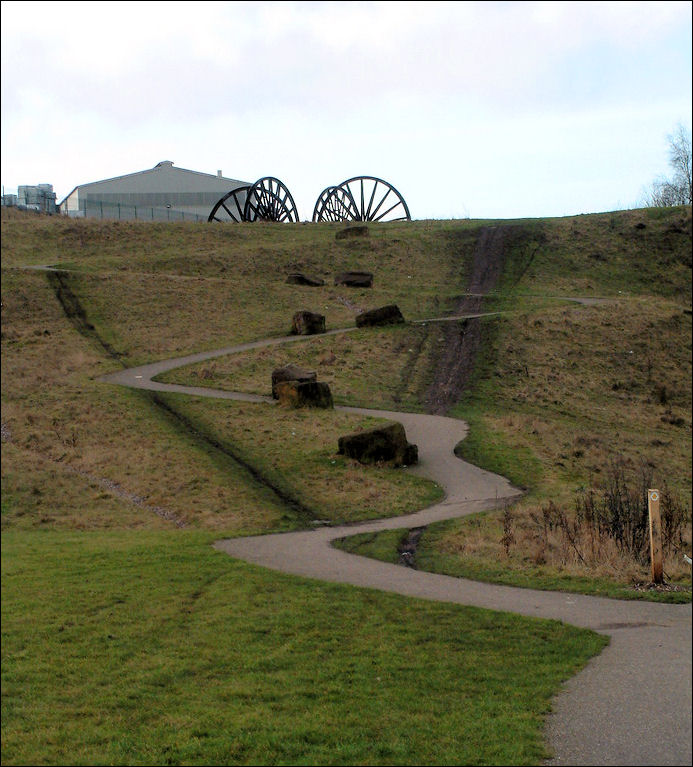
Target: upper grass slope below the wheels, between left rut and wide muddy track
211, 283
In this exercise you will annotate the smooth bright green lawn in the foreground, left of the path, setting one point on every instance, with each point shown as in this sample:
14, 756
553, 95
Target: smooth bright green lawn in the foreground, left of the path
152, 648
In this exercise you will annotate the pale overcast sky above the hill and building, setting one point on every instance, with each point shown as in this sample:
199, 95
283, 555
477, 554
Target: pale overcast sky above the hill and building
470, 109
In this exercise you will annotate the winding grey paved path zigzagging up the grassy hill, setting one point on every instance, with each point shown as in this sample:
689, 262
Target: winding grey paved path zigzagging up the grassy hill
632, 703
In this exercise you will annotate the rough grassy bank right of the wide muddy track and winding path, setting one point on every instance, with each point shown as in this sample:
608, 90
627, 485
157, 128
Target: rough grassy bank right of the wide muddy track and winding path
569, 400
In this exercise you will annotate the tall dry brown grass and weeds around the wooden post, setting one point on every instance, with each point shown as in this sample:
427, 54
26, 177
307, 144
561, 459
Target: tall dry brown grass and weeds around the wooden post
598, 545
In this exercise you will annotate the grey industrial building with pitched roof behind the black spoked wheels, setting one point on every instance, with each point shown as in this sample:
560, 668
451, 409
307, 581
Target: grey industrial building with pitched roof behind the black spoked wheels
163, 192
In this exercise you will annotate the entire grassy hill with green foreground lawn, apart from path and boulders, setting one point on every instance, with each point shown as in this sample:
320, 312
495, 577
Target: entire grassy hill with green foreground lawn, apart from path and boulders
127, 640
